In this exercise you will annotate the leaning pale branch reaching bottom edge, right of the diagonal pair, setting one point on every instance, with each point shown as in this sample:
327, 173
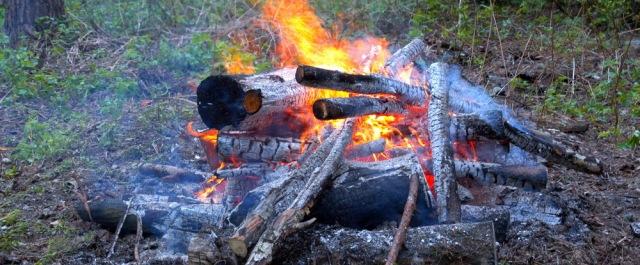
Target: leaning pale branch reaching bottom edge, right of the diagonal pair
290, 220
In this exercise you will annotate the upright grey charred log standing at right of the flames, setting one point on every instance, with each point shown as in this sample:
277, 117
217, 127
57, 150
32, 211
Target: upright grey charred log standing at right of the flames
447, 201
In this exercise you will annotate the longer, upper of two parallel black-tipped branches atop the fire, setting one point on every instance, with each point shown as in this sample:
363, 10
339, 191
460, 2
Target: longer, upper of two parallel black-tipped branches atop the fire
362, 84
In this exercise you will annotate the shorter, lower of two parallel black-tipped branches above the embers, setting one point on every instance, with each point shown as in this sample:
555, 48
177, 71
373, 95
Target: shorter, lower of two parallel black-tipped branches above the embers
340, 108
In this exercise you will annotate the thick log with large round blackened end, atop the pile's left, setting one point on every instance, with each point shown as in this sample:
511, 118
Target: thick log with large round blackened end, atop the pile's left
256, 102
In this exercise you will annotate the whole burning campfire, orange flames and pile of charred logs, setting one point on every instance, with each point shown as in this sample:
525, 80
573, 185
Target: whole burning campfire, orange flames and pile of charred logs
338, 147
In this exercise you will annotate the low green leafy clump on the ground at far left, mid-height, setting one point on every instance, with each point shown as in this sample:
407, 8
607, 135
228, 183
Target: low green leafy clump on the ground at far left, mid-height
43, 141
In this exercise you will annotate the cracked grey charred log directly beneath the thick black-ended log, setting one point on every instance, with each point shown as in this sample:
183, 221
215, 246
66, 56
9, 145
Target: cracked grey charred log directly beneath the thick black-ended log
250, 148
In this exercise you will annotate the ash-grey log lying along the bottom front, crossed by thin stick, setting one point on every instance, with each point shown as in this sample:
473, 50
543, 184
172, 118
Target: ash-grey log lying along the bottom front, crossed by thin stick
464, 243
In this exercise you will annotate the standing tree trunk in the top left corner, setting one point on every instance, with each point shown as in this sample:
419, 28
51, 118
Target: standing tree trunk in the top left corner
23, 17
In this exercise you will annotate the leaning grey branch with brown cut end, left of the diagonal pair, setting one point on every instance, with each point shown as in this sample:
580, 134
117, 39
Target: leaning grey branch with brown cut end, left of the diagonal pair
277, 196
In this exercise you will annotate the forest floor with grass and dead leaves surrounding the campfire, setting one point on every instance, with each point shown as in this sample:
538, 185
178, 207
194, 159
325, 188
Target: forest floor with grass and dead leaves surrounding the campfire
103, 123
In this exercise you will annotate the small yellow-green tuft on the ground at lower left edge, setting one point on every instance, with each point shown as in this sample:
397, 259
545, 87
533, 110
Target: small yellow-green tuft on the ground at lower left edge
13, 230
